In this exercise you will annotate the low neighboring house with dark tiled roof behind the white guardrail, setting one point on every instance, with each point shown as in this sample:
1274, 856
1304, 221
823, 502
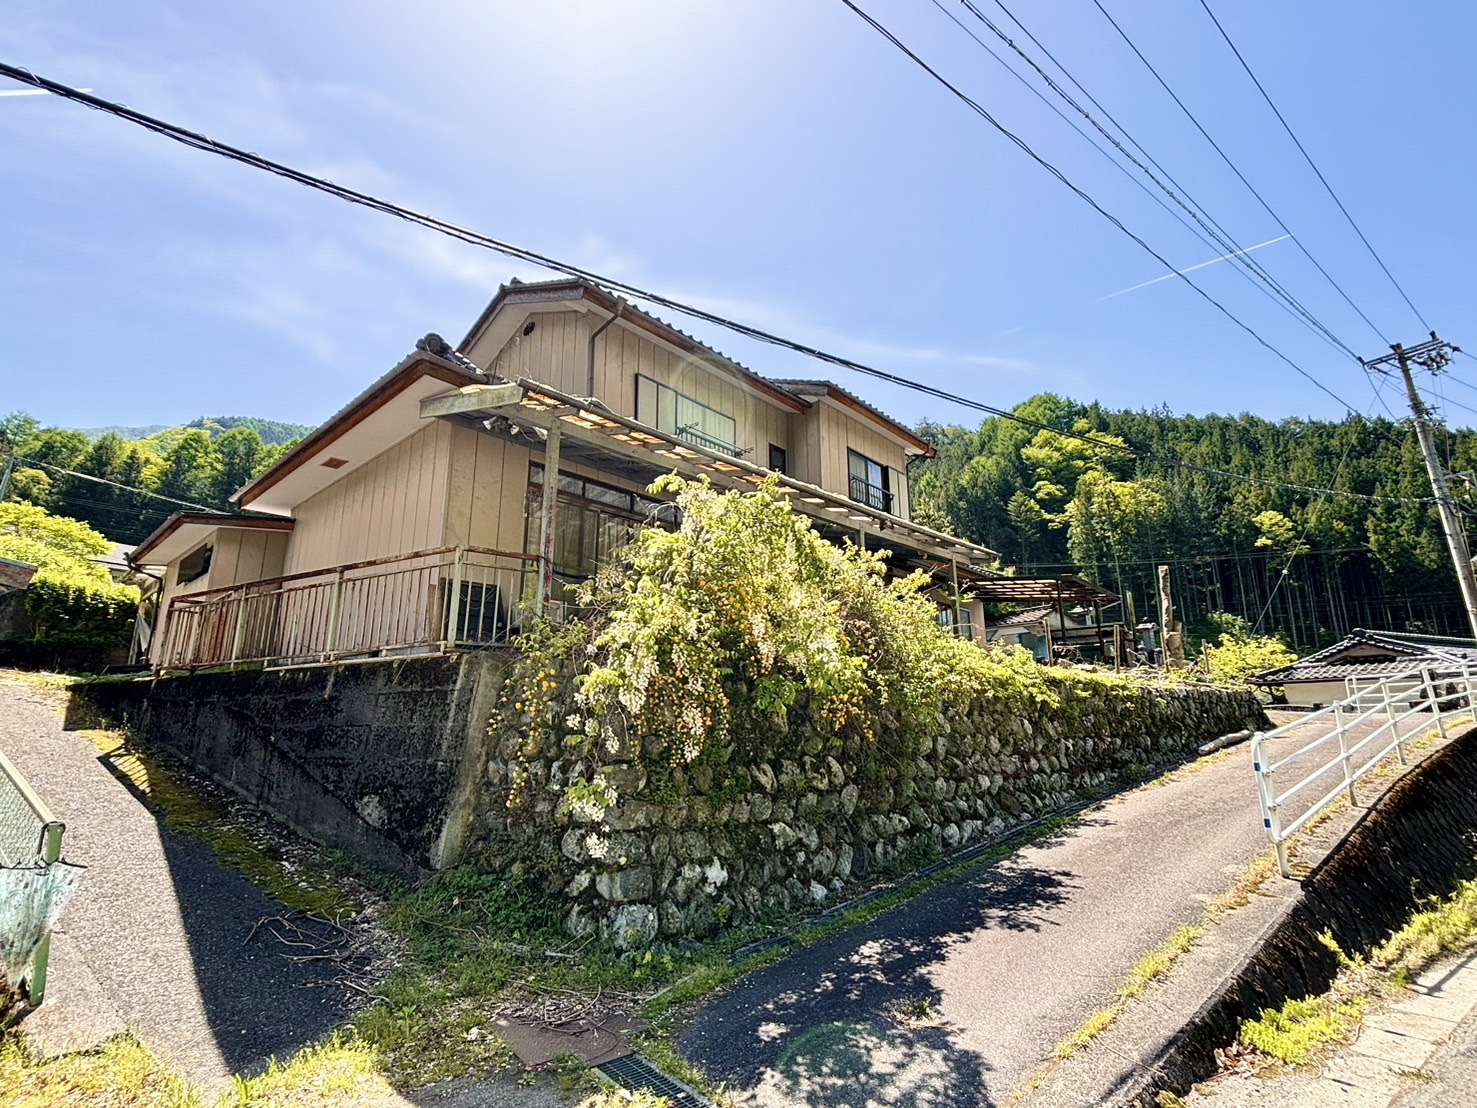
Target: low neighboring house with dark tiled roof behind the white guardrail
1321, 679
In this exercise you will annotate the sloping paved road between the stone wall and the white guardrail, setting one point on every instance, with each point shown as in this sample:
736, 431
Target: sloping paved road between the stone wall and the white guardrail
959, 996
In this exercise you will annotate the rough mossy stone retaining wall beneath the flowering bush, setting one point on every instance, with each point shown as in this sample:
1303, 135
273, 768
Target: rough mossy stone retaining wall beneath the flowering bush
690, 850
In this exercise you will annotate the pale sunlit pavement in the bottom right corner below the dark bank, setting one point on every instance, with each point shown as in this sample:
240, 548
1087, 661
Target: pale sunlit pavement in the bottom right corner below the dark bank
1420, 1053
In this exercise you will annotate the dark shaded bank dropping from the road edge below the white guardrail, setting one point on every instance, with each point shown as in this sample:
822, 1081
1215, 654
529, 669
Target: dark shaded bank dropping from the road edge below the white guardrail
1419, 841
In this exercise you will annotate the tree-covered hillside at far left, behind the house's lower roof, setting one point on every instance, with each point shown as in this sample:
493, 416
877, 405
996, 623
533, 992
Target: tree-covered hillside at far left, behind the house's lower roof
199, 465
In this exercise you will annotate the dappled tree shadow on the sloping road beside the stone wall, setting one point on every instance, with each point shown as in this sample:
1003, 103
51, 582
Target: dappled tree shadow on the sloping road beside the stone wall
853, 1020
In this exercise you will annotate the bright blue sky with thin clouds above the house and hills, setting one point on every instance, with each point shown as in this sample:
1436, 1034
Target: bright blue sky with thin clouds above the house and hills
772, 160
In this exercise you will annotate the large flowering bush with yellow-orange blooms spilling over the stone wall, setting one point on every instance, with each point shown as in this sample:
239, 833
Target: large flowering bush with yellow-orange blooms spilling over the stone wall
702, 642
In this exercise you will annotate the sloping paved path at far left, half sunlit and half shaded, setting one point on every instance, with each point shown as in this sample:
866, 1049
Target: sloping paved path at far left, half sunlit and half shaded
162, 939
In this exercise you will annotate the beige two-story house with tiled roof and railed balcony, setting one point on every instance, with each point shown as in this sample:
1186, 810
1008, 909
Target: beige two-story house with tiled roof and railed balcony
428, 513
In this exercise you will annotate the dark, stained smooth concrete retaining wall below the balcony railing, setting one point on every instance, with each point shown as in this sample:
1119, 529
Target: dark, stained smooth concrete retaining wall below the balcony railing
382, 760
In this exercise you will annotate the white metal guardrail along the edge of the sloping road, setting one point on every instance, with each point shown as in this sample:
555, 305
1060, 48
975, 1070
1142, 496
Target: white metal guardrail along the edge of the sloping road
1342, 744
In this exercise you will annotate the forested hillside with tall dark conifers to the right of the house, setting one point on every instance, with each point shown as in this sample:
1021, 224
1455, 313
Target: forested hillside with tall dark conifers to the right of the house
1054, 505
